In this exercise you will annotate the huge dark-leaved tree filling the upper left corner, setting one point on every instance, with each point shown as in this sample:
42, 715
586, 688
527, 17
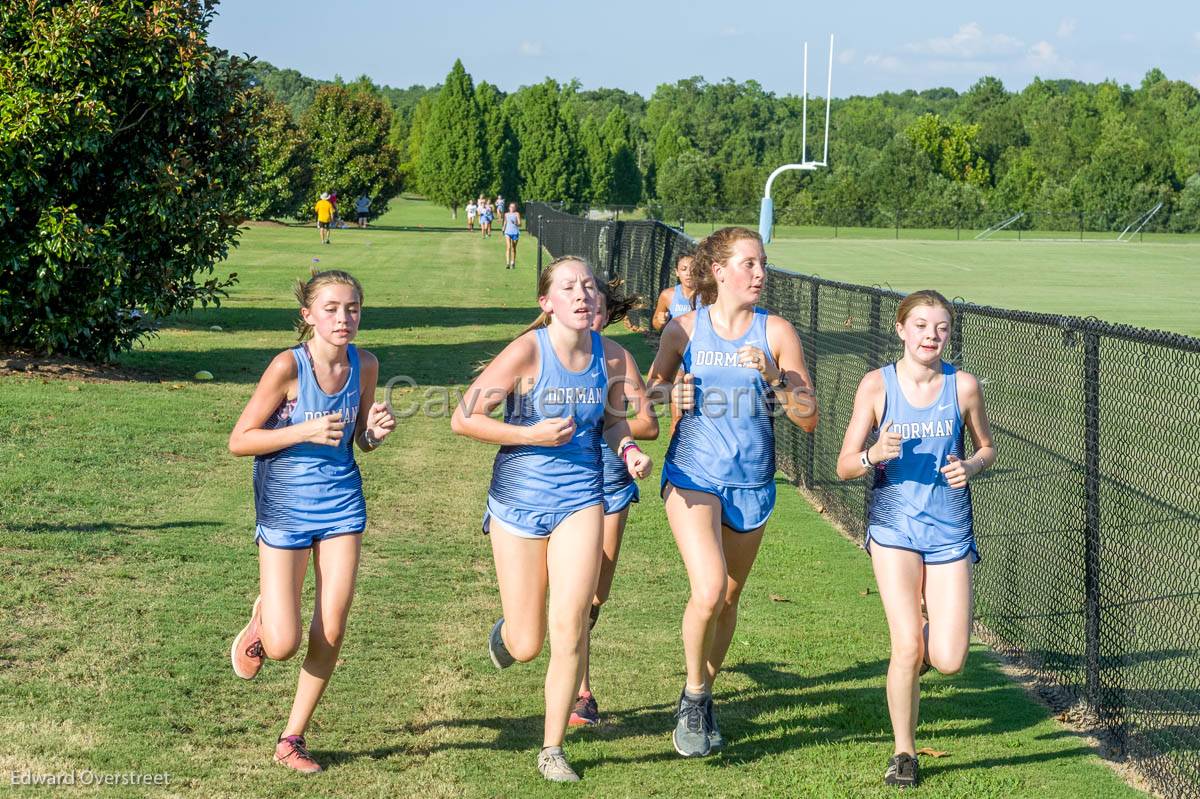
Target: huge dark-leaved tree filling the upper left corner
127, 152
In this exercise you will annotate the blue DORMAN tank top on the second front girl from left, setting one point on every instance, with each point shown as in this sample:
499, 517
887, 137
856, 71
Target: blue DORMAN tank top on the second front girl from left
556, 478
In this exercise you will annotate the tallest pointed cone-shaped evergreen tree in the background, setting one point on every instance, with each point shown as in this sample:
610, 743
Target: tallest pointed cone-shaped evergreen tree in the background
453, 166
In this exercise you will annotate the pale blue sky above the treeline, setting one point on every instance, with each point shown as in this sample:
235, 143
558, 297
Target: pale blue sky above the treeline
637, 46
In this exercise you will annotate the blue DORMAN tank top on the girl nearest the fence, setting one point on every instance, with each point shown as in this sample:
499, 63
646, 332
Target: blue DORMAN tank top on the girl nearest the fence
913, 484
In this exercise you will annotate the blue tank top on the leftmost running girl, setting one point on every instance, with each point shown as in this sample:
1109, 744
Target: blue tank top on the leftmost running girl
310, 488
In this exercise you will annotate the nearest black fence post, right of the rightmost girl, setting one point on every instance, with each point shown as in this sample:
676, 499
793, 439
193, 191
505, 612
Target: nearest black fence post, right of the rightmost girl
1093, 520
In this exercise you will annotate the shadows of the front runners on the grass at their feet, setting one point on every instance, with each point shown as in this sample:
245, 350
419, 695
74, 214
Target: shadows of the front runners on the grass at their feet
783, 711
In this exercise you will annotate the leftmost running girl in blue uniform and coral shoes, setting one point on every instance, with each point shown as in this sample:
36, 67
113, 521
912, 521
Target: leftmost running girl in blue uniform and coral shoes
311, 406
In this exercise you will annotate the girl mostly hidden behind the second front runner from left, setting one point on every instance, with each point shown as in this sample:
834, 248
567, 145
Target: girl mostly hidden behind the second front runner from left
620, 491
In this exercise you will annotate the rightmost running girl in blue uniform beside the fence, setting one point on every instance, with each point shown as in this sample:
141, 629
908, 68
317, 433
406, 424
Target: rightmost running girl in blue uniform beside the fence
920, 528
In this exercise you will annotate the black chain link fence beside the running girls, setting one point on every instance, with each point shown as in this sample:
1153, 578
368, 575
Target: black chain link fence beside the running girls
1089, 525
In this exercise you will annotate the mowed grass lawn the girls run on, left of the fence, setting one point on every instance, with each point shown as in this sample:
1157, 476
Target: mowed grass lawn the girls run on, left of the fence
128, 560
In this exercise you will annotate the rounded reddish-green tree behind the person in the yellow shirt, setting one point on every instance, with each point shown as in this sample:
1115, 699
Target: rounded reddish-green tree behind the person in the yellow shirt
349, 130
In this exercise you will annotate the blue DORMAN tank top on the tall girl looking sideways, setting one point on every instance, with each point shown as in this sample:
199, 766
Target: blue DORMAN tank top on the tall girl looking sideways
730, 438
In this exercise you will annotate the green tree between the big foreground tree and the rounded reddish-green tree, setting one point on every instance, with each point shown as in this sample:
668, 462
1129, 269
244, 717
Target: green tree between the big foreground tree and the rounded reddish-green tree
284, 185
